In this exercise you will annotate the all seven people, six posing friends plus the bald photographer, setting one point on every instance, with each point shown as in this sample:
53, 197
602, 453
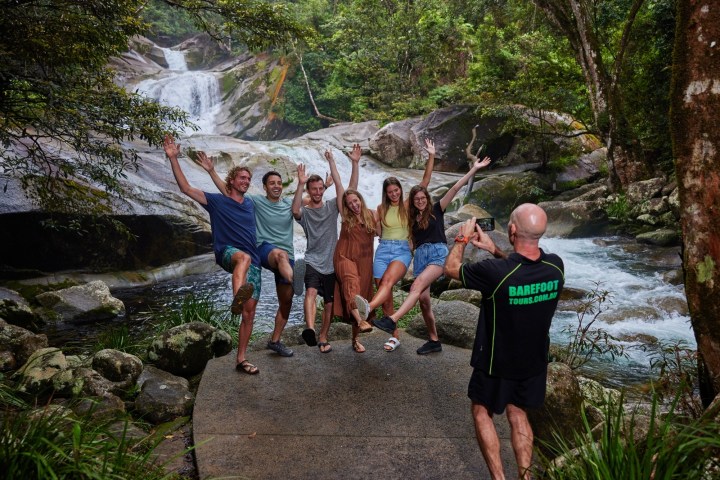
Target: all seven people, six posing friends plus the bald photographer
510, 352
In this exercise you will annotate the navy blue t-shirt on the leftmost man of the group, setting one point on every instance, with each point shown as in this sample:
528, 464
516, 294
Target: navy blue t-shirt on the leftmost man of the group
233, 225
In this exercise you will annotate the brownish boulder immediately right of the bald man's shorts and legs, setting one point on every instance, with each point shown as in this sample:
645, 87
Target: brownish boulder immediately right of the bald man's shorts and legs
561, 413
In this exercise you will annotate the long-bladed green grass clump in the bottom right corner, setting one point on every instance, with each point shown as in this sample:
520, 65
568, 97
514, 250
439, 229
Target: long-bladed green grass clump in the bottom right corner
667, 448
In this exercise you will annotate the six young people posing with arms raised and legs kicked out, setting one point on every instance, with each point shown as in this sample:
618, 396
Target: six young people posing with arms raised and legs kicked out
251, 232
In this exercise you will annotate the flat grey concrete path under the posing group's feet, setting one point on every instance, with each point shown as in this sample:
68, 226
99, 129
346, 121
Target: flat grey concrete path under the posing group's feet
341, 415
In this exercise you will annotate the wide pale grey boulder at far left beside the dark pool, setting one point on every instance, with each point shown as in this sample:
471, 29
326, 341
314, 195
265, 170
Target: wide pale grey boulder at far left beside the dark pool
91, 301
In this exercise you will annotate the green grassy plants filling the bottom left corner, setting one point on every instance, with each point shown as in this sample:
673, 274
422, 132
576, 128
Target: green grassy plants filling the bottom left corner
47, 444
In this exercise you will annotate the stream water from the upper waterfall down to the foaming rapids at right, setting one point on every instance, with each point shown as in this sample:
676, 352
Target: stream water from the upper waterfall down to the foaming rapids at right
642, 305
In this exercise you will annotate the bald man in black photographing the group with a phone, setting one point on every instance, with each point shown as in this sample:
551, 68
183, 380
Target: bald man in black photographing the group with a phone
520, 292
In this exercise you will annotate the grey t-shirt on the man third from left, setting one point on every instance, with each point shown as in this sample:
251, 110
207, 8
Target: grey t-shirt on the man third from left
320, 227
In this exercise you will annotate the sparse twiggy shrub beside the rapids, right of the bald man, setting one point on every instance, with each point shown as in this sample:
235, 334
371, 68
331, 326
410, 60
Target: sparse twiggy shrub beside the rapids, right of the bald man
587, 341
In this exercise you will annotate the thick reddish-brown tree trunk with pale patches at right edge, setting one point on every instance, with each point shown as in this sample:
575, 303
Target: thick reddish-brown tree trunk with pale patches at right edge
695, 128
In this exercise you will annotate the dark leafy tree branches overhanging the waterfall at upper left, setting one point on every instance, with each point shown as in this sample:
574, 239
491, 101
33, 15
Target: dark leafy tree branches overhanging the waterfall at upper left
63, 122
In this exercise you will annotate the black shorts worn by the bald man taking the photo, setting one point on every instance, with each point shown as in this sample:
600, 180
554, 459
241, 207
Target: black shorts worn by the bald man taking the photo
496, 393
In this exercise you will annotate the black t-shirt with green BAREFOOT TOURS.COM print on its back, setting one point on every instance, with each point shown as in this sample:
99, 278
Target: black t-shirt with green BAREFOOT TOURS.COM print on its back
518, 304
